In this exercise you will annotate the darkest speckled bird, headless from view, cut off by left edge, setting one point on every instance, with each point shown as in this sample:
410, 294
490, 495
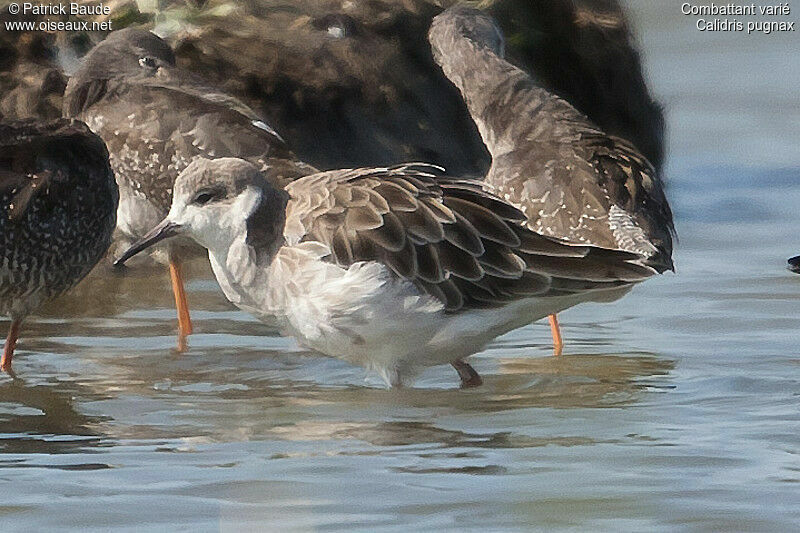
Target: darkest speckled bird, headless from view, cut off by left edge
59, 204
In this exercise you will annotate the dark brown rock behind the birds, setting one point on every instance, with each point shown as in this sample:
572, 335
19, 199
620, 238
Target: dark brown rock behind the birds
352, 82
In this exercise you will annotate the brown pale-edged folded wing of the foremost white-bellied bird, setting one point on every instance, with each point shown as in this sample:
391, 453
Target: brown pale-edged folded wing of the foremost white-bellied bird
454, 240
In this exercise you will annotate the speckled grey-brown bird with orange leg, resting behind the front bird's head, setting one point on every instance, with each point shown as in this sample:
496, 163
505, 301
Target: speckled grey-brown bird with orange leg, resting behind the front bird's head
155, 119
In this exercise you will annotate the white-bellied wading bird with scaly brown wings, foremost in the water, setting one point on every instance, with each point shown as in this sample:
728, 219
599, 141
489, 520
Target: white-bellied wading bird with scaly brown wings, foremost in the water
393, 268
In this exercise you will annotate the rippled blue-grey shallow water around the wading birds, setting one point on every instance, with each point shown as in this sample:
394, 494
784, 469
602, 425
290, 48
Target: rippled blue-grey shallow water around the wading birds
675, 408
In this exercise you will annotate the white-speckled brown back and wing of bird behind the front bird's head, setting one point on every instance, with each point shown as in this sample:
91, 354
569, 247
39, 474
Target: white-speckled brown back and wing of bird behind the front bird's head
154, 127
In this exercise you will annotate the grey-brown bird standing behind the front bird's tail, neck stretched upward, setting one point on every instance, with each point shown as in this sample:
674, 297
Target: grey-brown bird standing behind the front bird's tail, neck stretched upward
570, 179
